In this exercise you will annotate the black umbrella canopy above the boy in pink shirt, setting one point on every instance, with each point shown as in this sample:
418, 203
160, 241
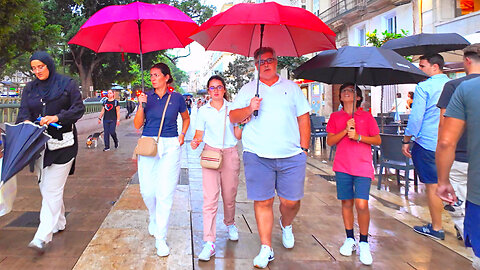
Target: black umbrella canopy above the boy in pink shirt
361, 65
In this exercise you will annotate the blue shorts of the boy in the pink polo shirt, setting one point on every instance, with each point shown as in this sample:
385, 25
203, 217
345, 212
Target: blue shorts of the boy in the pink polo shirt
352, 187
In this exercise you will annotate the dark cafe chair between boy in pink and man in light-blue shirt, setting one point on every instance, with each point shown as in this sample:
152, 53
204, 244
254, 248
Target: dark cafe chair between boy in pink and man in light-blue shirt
391, 157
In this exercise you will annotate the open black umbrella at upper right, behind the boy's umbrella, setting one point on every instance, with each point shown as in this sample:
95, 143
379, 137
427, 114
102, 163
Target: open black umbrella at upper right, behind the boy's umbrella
422, 44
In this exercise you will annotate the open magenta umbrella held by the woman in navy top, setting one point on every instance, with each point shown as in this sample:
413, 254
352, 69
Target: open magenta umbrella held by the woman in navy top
136, 28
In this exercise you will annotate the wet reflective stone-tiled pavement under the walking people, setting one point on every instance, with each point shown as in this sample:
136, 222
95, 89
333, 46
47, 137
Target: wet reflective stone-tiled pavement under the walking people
107, 222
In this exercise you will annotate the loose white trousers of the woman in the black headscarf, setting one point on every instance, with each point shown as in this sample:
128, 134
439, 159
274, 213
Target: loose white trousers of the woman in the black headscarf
52, 213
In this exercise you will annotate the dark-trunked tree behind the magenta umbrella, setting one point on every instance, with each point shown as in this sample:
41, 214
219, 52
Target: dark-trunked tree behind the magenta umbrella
100, 70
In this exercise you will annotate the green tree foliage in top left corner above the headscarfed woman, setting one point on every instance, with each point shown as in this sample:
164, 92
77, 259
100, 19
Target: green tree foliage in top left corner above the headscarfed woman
23, 29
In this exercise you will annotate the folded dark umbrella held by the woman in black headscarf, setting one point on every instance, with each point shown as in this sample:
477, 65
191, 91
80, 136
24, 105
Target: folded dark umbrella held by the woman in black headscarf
23, 143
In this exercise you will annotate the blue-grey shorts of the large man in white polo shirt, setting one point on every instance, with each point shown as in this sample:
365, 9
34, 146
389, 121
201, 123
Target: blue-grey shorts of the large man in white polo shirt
264, 176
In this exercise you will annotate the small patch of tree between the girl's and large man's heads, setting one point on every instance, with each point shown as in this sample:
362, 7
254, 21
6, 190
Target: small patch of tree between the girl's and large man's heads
239, 73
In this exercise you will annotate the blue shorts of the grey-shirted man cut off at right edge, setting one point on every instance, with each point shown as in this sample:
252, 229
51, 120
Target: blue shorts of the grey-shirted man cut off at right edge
471, 230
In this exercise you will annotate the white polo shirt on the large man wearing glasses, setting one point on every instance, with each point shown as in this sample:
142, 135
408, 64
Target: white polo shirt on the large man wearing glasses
274, 132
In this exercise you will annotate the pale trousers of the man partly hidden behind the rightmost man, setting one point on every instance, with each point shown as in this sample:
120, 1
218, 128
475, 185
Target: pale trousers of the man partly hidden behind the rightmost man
458, 179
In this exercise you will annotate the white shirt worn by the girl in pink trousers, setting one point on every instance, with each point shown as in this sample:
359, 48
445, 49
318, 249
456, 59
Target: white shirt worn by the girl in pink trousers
211, 122
